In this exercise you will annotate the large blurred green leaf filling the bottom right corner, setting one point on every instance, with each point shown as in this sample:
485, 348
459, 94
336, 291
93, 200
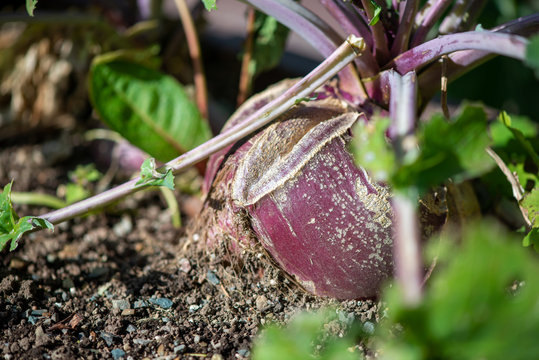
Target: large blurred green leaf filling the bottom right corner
479, 291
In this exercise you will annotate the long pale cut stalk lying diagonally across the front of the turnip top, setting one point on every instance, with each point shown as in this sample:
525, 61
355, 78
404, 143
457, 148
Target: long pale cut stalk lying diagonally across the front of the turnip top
321, 74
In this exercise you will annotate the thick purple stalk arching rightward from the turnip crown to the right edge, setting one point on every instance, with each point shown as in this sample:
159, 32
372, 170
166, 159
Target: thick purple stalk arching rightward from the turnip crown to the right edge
503, 44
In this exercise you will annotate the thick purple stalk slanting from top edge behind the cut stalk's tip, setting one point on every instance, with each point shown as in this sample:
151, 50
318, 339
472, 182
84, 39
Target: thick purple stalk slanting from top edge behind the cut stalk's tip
315, 31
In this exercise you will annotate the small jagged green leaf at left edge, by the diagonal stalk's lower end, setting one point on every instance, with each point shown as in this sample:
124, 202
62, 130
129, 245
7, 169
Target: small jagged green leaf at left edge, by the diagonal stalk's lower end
11, 227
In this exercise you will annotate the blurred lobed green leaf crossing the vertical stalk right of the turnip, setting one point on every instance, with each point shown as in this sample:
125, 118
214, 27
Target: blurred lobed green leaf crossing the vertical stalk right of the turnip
446, 149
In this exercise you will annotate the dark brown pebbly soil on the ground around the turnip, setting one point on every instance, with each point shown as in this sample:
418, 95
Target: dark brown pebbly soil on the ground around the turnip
125, 283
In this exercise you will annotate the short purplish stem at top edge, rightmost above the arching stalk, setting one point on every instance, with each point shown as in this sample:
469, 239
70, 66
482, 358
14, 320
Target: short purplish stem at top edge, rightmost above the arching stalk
462, 16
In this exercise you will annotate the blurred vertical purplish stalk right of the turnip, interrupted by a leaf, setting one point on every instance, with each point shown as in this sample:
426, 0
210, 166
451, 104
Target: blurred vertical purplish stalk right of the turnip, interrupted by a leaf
406, 224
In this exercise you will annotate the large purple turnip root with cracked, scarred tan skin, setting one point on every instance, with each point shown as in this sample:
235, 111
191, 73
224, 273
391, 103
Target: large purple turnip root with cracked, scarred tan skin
294, 188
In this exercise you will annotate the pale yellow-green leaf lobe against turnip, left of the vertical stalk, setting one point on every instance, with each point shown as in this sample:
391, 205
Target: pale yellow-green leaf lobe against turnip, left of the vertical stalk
371, 149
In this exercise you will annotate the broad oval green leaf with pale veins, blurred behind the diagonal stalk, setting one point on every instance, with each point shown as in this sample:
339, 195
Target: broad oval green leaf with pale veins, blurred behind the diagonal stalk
150, 109
